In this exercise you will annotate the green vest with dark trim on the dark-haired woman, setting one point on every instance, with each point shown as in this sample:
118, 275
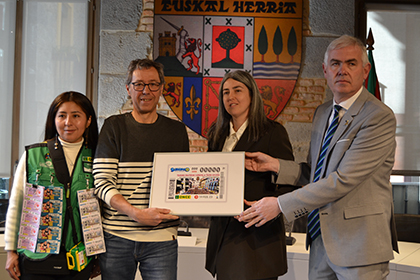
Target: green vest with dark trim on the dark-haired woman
39, 165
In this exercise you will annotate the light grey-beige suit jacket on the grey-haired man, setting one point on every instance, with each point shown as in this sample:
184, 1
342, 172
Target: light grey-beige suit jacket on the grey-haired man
354, 195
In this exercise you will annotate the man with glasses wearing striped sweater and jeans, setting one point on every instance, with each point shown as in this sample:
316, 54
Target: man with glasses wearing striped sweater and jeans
135, 234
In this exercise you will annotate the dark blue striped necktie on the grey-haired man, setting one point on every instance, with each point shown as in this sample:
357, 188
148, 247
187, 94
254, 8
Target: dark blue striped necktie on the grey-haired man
313, 217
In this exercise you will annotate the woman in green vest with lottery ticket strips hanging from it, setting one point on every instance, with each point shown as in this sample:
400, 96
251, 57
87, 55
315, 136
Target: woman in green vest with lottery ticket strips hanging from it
63, 163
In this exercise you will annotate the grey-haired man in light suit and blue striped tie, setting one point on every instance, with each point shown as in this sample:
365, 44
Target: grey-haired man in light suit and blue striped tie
347, 181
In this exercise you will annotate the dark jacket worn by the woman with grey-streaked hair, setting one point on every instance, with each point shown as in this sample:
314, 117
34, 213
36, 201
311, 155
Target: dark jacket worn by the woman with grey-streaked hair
234, 252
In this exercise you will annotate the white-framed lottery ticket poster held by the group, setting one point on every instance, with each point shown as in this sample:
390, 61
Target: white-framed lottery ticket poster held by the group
199, 184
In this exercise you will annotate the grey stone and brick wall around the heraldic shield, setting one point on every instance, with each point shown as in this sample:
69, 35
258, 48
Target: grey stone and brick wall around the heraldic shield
127, 32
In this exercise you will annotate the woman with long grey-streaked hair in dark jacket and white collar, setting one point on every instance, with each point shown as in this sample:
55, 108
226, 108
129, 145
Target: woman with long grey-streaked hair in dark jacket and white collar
233, 251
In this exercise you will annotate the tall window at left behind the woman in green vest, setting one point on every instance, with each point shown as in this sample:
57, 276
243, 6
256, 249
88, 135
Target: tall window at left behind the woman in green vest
46, 47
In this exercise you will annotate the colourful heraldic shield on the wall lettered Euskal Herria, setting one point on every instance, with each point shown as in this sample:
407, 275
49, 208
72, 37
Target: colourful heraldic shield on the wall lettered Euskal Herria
198, 42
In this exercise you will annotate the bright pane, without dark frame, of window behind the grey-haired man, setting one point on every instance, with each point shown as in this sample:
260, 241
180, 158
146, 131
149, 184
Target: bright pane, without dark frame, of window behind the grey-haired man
396, 54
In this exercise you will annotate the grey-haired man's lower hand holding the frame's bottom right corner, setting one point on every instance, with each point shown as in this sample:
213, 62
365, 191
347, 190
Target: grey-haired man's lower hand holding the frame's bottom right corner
260, 212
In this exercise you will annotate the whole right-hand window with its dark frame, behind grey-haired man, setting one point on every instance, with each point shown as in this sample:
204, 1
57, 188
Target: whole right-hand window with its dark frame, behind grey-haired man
394, 26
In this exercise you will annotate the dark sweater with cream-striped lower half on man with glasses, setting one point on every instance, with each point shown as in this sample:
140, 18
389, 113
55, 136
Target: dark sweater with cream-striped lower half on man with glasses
123, 165
